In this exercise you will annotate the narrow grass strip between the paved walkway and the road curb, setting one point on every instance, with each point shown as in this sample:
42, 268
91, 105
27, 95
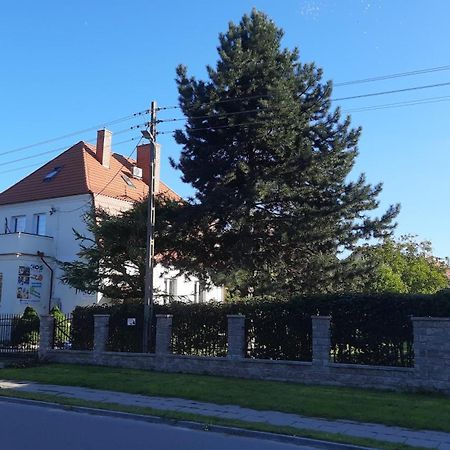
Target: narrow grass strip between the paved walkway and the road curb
206, 420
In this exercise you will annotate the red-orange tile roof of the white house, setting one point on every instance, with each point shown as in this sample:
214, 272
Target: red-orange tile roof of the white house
81, 173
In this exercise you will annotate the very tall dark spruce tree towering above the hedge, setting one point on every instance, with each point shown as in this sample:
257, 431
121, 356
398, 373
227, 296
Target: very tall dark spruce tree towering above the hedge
269, 159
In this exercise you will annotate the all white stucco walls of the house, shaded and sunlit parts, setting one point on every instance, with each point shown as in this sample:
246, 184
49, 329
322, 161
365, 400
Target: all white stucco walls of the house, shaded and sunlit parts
63, 215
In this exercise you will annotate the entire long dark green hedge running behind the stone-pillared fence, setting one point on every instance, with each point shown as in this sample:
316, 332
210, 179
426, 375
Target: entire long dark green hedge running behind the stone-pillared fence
365, 329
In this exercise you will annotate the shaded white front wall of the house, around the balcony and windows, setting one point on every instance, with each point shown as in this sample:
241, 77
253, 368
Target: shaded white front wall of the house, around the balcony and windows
63, 214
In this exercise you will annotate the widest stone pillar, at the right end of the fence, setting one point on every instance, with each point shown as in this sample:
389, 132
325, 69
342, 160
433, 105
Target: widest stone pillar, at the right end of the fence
432, 351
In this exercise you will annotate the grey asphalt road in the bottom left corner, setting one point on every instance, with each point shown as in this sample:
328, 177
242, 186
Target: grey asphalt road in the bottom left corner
29, 427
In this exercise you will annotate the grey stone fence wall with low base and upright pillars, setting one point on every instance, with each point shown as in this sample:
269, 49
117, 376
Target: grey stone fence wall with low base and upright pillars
431, 371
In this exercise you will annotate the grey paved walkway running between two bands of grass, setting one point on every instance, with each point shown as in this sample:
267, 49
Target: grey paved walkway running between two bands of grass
428, 439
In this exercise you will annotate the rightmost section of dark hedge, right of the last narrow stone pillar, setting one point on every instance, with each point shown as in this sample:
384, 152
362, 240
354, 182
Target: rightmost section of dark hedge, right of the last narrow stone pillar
377, 329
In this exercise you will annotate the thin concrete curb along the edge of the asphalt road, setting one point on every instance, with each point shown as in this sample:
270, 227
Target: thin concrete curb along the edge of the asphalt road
326, 445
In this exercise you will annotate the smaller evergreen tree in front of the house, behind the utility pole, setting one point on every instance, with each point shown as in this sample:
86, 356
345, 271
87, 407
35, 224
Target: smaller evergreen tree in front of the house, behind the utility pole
112, 252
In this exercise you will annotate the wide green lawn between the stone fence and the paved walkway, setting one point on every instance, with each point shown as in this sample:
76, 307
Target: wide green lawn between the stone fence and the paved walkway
419, 411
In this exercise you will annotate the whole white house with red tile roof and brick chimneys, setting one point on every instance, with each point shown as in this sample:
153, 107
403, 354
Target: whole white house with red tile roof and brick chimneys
38, 215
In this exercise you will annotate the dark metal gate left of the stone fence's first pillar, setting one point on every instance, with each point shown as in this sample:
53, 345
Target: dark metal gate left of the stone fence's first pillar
19, 335
